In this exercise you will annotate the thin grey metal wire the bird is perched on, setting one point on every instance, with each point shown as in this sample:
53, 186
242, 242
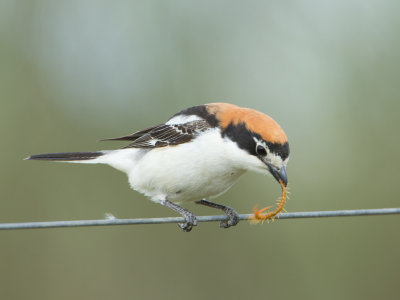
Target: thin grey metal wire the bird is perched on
110, 220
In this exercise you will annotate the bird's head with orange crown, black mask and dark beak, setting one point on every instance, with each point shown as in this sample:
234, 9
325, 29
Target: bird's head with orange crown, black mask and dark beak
256, 133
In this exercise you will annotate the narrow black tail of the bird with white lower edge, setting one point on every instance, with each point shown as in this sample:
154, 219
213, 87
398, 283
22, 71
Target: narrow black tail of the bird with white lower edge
78, 157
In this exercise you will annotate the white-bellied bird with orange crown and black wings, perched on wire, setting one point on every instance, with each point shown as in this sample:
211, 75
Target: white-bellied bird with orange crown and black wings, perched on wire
197, 154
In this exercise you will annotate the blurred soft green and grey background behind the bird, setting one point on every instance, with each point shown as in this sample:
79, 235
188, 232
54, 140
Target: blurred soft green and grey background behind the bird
73, 72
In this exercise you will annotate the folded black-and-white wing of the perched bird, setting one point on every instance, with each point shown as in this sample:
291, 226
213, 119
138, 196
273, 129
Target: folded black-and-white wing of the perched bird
166, 135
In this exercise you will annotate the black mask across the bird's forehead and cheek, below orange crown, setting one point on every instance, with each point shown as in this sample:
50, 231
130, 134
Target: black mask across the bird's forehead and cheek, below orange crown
245, 139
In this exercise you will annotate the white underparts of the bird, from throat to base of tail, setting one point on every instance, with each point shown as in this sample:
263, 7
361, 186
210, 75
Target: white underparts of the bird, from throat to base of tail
204, 168
